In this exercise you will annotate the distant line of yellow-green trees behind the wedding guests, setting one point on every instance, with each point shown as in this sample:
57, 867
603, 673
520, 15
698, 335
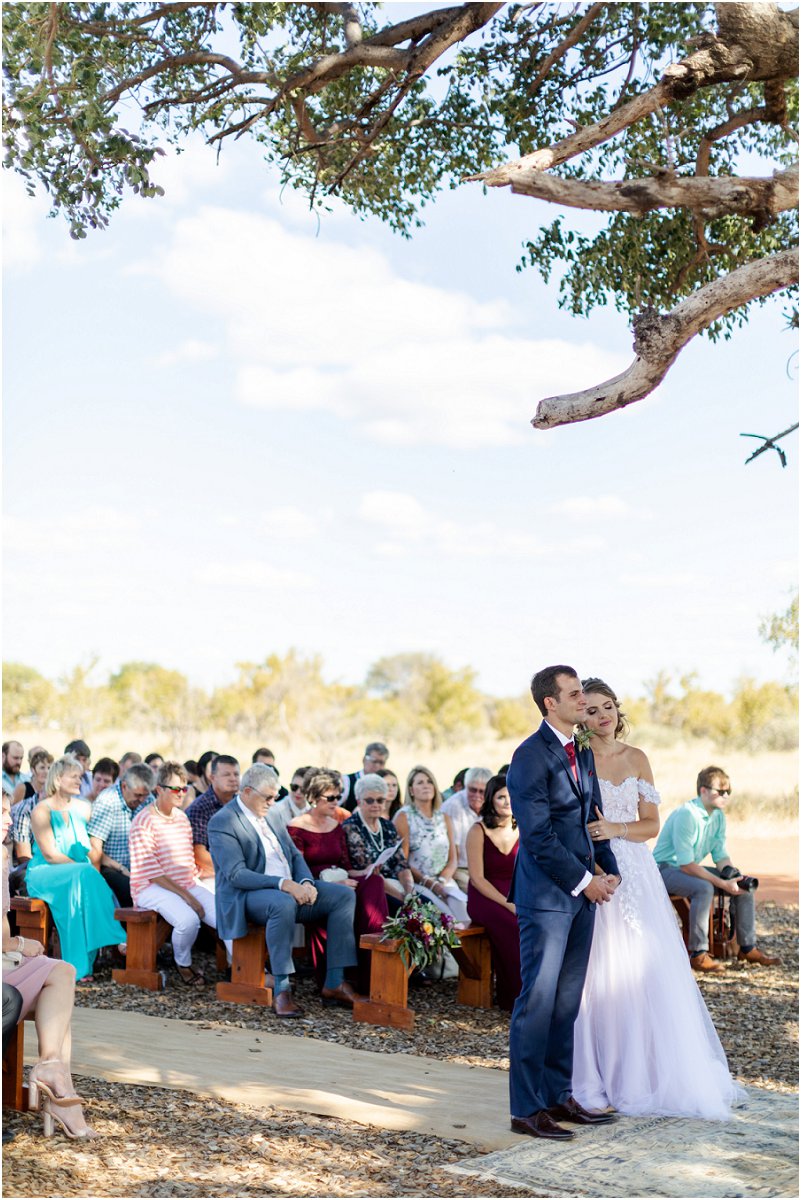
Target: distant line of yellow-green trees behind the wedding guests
412, 699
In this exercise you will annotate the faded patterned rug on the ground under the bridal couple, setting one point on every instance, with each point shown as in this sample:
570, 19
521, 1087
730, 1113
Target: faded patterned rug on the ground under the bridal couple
755, 1155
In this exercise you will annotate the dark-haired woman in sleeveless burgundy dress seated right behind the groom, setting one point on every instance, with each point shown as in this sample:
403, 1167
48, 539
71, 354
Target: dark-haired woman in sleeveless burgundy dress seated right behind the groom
492, 850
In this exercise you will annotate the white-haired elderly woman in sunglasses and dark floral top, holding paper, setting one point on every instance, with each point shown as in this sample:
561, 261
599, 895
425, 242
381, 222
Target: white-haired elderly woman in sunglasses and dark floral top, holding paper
369, 833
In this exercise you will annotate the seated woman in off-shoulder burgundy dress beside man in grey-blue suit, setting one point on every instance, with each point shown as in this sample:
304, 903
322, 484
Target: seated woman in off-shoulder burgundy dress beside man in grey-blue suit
321, 839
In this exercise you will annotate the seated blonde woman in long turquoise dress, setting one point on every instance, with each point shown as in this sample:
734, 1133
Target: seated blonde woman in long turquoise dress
62, 874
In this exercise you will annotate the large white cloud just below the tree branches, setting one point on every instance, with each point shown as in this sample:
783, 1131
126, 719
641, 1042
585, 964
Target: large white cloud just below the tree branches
316, 327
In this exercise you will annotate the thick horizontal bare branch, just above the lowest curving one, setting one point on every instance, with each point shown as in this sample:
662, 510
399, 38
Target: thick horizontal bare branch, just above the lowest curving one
714, 197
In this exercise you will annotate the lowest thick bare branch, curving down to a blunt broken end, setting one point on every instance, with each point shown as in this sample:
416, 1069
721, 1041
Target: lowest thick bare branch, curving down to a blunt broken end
660, 339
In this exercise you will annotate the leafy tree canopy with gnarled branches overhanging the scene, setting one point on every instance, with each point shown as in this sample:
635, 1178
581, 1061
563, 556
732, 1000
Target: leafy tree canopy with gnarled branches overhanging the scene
674, 123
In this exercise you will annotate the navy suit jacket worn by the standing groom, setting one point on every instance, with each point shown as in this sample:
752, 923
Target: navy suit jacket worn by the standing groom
552, 811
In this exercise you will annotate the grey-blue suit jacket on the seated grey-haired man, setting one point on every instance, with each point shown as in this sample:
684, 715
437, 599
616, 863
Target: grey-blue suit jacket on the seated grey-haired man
238, 855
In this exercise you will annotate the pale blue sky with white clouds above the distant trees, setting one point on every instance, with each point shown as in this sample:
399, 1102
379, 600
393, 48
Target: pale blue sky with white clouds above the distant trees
231, 429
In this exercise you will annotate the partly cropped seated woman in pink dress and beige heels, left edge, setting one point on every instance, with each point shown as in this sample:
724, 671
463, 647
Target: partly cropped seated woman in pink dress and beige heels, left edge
46, 987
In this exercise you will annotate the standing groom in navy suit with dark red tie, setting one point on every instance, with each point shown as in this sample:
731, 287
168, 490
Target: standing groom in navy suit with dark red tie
556, 887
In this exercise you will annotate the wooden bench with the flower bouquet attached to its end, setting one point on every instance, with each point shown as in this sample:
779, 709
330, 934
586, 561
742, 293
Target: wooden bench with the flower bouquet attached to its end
389, 982
